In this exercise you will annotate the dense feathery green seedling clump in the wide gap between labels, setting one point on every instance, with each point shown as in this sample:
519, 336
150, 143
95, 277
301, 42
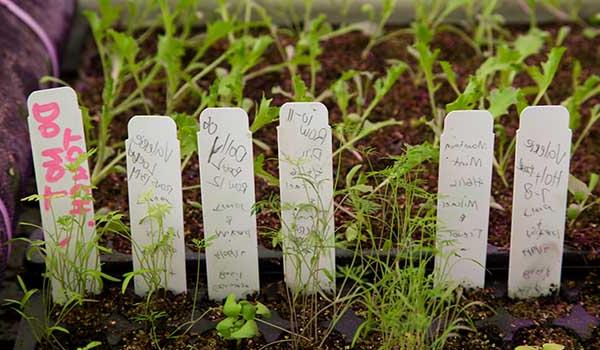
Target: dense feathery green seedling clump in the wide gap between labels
403, 302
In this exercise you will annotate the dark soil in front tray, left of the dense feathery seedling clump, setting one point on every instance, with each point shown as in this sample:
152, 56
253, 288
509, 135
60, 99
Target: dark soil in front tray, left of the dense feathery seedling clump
114, 319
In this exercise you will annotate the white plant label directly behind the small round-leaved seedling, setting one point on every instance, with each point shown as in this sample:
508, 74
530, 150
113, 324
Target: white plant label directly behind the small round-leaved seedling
227, 188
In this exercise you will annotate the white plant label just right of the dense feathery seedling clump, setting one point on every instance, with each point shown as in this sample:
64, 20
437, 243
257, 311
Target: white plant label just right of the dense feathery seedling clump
464, 185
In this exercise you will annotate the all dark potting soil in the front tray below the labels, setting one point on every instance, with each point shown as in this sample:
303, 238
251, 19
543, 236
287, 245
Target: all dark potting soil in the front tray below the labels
497, 323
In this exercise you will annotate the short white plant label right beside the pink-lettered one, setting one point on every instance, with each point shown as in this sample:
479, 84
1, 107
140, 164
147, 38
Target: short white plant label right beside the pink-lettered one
155, 204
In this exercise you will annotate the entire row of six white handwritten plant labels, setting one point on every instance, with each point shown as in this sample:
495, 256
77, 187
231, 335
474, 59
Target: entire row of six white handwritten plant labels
306, 191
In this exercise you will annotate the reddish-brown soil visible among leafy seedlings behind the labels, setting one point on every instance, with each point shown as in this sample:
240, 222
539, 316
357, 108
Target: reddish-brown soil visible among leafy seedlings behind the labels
405, 102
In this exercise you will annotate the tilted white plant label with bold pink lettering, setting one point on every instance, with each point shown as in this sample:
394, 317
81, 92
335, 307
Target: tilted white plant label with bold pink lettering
63, 181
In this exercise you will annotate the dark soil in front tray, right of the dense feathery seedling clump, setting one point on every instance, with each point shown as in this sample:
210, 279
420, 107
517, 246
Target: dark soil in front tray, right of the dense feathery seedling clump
570, 319
